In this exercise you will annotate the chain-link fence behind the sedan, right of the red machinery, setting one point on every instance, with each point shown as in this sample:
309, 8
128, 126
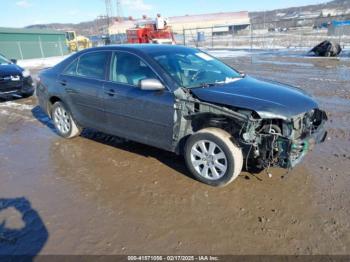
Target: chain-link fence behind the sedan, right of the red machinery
255, 37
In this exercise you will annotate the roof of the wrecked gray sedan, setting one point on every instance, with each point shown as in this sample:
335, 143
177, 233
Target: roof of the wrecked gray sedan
144, 48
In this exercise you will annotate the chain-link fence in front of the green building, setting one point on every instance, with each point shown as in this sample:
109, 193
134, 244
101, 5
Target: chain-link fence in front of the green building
32, 49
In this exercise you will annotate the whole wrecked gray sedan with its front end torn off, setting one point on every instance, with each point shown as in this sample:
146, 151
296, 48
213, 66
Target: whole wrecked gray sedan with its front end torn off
185, 101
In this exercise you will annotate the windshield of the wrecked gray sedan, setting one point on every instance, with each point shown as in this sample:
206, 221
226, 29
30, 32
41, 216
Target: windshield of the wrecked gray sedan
192, 68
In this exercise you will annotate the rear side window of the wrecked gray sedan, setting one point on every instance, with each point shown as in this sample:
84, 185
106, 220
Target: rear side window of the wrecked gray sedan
93, 65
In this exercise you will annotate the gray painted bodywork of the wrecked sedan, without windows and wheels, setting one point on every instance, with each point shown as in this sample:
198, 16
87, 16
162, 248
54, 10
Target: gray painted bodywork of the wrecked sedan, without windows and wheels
162, 118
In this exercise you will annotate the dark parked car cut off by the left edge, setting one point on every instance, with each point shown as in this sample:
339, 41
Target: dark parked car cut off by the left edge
14, 79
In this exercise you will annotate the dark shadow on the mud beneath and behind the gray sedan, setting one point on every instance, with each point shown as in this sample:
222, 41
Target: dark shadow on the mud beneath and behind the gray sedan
170, 159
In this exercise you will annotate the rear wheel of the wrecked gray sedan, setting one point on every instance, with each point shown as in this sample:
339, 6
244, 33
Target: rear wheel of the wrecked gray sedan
64, 121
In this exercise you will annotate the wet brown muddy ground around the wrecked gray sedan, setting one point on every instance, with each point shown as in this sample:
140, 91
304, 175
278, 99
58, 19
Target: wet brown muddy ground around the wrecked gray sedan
98, 195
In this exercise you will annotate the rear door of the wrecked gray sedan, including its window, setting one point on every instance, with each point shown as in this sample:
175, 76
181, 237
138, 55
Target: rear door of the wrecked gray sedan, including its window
83, 82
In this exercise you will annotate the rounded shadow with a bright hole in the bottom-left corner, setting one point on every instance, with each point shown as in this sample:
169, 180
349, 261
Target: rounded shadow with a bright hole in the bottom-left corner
22, 232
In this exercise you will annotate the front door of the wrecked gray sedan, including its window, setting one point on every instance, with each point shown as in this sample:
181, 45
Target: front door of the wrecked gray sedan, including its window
139, 115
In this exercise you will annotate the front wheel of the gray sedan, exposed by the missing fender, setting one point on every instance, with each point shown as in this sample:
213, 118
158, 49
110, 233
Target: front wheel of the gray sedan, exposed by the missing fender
212, 157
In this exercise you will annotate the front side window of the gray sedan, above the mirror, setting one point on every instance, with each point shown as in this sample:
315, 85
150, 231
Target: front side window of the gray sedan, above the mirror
129, 69
